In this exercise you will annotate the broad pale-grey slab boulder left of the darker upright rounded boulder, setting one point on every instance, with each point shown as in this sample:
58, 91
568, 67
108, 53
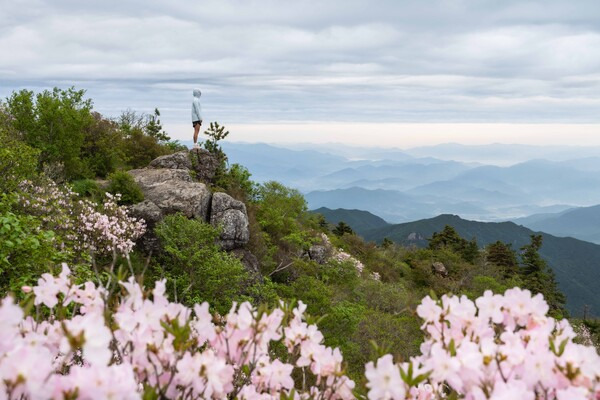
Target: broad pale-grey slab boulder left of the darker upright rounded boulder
173, 190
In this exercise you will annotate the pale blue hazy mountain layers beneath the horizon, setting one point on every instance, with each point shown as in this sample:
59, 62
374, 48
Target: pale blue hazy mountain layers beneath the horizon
485, 183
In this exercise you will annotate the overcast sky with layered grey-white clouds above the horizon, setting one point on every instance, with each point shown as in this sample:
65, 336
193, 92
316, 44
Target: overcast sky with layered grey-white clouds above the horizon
307, 70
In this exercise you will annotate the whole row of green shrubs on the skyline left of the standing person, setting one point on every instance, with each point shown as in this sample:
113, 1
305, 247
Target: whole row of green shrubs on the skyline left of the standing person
76, 142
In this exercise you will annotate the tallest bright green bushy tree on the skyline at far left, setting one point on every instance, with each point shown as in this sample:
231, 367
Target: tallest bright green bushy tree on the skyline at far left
53, 122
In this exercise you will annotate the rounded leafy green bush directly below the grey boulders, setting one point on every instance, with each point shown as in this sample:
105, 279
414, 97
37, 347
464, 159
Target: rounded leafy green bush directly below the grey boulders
196, 268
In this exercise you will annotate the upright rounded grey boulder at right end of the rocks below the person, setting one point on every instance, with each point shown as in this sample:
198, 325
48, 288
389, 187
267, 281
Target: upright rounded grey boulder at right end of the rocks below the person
230, 215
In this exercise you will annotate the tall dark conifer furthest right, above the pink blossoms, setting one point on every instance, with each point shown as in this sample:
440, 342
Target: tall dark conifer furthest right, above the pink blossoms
538, 278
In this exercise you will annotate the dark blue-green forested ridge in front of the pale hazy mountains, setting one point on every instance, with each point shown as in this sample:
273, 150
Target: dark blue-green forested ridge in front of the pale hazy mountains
576, 263
